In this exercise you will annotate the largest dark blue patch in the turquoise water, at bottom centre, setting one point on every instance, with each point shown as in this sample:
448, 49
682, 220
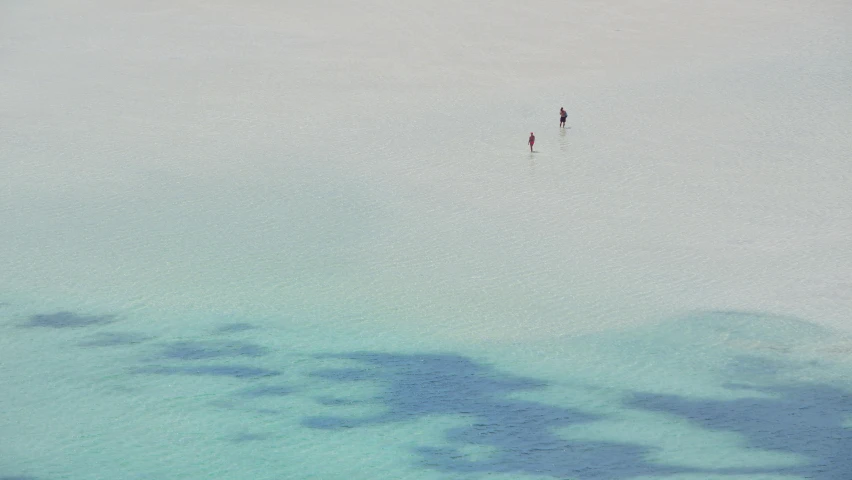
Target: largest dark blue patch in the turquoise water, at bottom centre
521, 435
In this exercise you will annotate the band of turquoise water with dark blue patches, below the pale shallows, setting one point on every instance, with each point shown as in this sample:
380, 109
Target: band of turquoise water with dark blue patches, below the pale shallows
711, 395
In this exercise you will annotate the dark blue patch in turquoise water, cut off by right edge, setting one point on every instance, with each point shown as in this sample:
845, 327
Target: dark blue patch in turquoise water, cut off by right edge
807, 420
